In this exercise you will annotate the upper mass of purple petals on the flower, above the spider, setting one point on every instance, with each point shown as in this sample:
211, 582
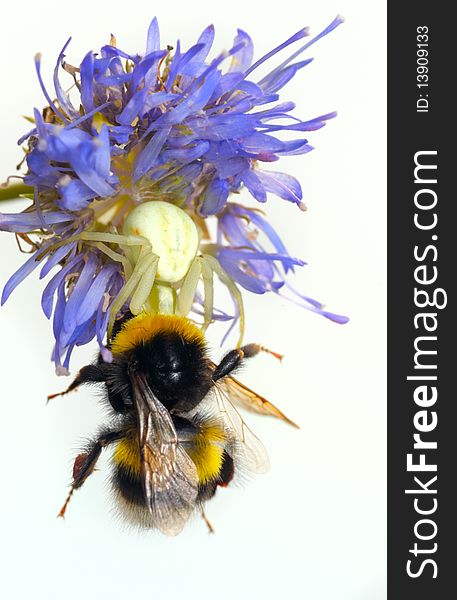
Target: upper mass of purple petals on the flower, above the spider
186, 126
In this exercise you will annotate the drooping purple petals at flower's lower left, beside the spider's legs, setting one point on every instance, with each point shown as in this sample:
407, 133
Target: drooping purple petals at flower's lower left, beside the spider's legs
79, 295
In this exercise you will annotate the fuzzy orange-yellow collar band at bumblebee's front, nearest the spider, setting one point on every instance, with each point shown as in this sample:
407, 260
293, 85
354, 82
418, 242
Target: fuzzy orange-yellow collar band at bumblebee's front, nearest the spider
145, 326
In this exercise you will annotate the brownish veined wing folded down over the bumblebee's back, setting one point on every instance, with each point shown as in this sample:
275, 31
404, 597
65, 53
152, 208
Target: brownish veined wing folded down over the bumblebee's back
169, 476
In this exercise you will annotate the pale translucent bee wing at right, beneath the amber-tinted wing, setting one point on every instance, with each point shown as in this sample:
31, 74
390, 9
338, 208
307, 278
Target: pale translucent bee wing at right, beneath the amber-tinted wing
248, 447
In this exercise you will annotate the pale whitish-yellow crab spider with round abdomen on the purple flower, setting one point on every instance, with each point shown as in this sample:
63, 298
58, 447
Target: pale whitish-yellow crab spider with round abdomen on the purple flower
158, 253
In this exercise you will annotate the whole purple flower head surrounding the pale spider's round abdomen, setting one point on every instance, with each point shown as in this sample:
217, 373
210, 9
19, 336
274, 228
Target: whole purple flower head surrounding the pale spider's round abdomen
171, 125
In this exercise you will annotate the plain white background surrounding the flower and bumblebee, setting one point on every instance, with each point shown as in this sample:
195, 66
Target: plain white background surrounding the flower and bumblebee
314, 526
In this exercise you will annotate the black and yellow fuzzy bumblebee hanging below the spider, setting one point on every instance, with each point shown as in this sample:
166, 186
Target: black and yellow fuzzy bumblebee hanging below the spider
176, 434
